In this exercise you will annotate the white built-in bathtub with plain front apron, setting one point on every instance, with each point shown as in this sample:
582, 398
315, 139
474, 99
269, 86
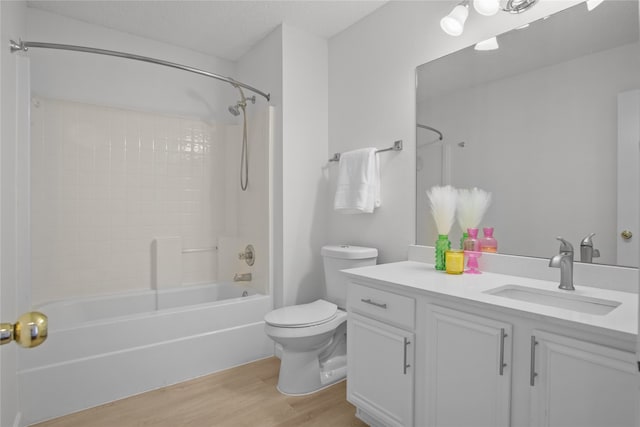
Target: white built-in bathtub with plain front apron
102, 349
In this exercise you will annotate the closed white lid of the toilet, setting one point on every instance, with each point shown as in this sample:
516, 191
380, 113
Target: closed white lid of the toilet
301, 315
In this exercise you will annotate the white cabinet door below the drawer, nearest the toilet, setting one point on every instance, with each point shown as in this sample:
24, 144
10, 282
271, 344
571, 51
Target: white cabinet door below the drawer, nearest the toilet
379, 370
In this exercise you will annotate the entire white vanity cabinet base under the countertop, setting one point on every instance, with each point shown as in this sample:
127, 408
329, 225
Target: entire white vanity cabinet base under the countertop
430, 360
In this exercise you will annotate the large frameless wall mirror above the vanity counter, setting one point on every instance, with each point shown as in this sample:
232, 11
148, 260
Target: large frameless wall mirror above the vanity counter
549, 123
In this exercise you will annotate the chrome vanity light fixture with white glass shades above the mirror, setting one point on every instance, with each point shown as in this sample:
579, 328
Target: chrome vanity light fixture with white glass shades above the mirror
453, 23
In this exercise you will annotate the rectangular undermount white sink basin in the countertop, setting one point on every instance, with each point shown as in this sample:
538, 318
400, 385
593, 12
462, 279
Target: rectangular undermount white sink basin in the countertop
566, 301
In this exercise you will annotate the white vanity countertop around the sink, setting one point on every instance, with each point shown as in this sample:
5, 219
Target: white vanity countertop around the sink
423, 277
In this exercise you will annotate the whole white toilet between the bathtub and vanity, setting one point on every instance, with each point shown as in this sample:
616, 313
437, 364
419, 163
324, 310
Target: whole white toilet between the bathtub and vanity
313, 336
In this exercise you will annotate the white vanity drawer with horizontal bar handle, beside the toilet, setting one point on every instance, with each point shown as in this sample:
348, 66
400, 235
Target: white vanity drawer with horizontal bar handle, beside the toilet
381, 305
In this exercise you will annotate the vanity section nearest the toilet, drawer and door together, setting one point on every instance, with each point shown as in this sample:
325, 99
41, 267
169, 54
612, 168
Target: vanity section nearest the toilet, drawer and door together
380, 356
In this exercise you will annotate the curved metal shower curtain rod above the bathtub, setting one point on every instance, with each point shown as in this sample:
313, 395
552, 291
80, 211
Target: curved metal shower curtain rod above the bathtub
23, 45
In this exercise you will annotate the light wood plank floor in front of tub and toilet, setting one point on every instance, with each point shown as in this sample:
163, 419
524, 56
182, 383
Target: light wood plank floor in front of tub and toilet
242, 396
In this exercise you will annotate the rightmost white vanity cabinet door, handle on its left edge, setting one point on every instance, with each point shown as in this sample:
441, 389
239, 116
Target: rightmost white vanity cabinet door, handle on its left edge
576, 383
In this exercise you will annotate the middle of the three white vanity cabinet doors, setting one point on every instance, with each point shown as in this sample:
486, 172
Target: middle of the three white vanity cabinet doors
468, 369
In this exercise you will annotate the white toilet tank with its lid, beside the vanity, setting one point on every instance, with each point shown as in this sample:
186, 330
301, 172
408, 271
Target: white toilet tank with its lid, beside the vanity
341, 257
